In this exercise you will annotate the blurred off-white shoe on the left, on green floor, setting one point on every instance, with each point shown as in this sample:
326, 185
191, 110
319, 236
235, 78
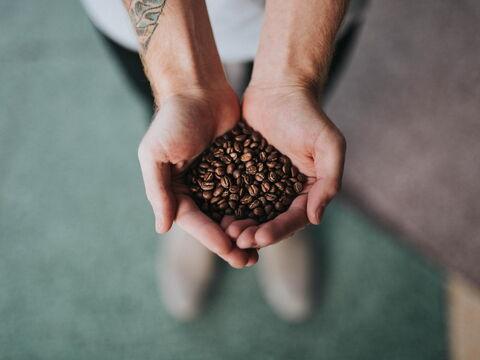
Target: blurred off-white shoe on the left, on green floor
184, 271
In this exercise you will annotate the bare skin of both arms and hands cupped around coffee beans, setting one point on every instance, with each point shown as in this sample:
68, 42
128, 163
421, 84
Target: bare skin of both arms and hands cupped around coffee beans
195, 104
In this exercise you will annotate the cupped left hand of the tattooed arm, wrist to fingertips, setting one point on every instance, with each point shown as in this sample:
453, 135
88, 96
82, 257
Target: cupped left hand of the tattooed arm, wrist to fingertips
182, 128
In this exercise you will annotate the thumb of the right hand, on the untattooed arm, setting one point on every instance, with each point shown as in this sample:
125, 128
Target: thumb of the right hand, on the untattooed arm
329, 160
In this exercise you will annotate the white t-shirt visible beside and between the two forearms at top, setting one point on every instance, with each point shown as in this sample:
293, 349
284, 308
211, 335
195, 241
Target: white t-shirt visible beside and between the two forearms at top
236, 25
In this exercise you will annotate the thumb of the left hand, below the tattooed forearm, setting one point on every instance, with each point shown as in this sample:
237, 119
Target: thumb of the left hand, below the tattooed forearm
156, 177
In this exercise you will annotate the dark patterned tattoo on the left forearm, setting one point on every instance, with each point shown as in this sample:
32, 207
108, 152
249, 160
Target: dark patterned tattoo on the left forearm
144, 15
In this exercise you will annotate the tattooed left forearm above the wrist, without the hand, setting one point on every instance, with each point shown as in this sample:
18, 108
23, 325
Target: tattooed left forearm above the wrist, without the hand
177, 45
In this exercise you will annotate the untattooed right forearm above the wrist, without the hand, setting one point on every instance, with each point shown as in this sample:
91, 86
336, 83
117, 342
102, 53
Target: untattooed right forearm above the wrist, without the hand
297, 40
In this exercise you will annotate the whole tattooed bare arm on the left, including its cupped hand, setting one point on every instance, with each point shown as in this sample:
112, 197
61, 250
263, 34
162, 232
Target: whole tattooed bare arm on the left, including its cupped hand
195, 104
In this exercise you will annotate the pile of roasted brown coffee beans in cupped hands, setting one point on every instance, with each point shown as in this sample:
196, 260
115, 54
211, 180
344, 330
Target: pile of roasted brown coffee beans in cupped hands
240, 174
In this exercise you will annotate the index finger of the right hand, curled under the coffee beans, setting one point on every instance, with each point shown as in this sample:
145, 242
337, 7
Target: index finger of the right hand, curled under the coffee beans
284, 225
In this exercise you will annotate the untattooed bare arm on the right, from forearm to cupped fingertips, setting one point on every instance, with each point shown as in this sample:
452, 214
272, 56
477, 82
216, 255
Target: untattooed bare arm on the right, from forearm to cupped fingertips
281, 102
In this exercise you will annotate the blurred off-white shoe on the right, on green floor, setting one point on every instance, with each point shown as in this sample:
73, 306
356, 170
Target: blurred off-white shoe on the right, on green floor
285, 275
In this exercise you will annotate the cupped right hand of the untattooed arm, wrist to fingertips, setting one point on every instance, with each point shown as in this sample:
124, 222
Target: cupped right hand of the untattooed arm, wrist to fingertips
290, 118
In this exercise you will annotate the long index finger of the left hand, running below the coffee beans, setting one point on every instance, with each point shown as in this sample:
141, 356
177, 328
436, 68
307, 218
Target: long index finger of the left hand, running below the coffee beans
210, 234
